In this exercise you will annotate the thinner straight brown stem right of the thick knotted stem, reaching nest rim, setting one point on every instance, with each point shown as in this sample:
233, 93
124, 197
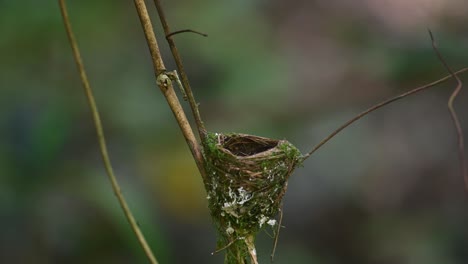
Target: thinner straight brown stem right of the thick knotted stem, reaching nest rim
183, 74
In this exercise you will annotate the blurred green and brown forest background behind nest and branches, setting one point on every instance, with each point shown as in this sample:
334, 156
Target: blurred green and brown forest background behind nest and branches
386, 190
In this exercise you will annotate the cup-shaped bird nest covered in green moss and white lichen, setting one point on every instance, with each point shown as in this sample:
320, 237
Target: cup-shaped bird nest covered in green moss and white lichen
247, 178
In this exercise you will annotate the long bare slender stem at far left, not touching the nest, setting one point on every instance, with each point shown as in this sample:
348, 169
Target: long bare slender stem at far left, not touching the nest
101, 138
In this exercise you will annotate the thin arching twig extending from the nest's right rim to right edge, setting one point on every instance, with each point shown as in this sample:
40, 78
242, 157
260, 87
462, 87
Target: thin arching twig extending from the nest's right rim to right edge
377, 106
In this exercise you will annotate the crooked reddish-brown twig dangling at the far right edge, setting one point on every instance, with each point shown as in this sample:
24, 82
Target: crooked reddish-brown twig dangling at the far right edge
456, 121
